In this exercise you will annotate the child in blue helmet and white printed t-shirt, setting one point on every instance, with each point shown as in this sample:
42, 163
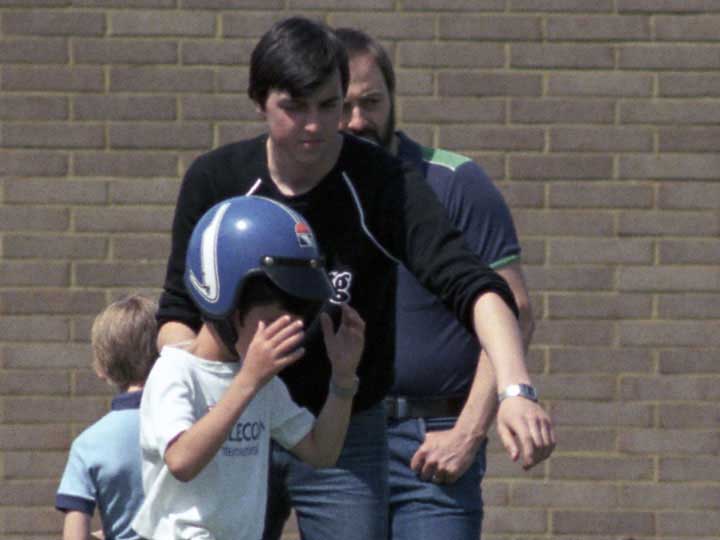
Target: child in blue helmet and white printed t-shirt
212, 405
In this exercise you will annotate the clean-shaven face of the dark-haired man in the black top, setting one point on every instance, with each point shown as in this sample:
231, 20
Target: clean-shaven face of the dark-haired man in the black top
304, 129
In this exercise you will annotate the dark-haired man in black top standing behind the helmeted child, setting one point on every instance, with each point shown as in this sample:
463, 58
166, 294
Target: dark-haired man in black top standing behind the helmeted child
368, 213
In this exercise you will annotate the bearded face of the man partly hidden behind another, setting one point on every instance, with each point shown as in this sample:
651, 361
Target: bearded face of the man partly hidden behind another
368, 107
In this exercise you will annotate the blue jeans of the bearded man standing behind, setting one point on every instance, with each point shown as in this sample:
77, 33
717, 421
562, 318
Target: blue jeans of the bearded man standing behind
422, 510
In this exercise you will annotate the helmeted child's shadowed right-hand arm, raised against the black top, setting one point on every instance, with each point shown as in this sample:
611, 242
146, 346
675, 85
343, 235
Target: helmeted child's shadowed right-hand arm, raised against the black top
321, 447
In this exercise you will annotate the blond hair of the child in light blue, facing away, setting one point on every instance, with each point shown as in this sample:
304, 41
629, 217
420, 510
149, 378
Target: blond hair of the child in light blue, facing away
123, 339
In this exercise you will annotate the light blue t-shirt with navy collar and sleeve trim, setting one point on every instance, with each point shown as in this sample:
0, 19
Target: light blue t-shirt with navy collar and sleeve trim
104, 469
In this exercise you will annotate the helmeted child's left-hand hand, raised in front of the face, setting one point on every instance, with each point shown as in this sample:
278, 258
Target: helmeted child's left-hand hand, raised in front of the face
273, 348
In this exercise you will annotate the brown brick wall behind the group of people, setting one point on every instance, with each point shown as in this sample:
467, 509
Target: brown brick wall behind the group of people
598, 120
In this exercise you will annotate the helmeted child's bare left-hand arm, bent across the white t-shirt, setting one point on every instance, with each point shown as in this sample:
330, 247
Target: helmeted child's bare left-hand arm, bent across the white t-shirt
273, 348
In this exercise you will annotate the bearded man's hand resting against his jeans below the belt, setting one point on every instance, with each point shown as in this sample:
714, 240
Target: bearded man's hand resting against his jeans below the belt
445, 455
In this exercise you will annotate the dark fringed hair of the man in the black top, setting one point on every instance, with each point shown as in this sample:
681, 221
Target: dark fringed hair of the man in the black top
297, 55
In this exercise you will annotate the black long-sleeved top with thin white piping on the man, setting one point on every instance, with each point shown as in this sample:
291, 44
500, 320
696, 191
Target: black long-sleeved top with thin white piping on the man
368, 213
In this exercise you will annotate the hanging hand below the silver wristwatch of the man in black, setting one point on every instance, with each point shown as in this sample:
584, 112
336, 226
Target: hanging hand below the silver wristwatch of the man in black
525, 430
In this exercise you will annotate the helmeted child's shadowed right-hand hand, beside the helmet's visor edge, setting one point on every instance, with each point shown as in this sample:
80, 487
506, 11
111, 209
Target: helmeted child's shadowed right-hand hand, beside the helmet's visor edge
345, 346
